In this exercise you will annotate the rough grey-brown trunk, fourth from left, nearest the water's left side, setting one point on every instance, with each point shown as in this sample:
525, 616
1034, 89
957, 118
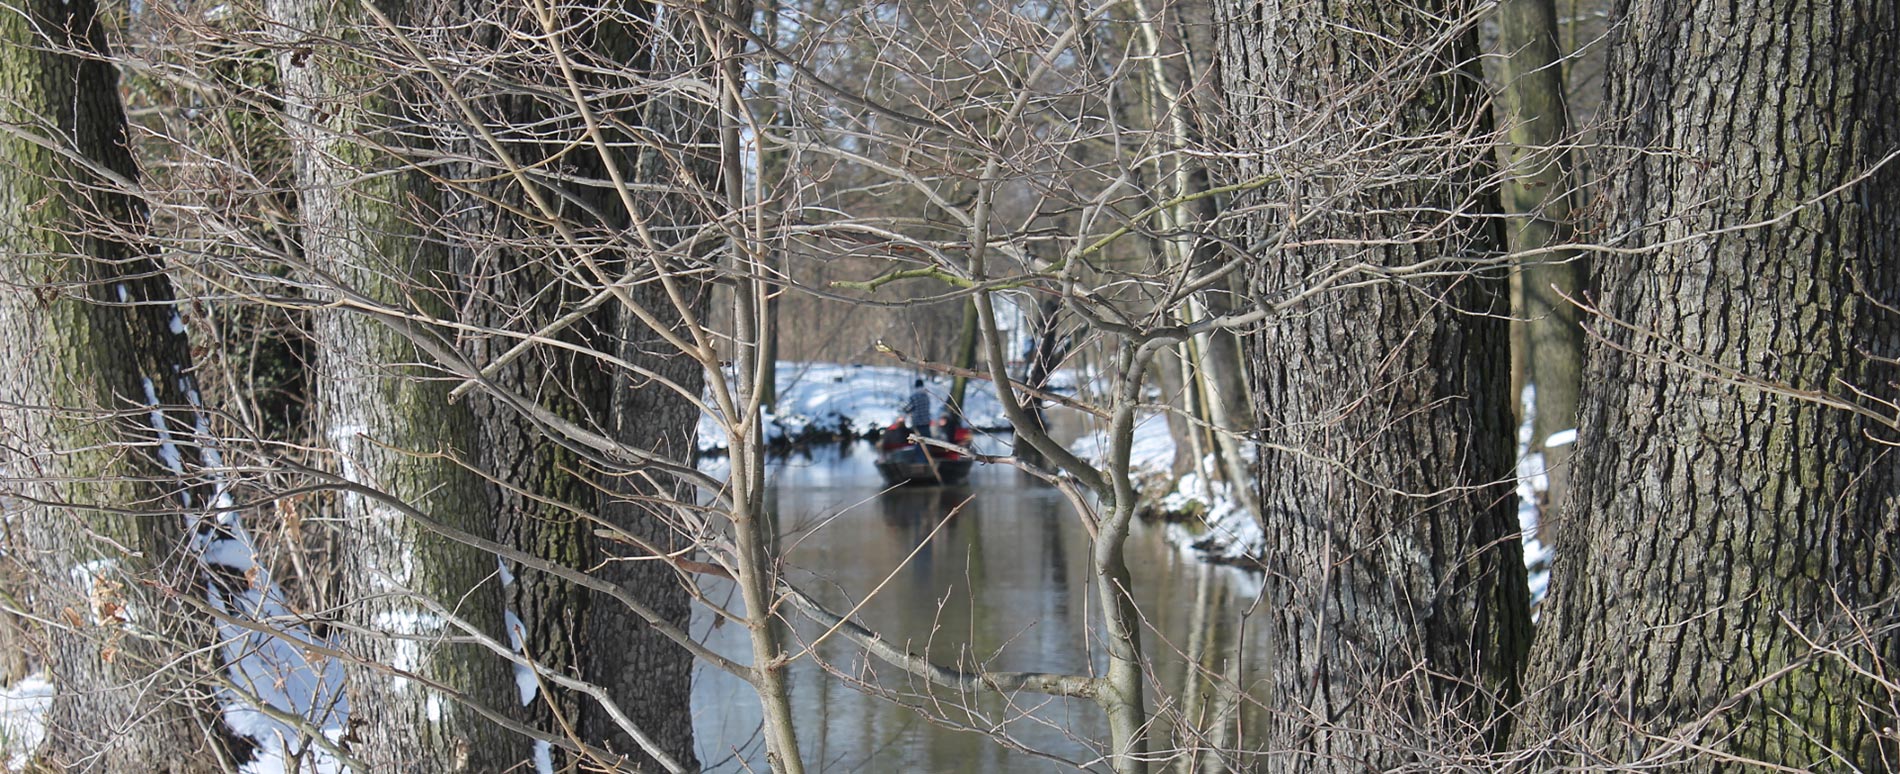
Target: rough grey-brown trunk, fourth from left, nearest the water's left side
645, 414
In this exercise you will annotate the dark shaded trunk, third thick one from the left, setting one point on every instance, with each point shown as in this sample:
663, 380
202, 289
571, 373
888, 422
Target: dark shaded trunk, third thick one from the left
544, 505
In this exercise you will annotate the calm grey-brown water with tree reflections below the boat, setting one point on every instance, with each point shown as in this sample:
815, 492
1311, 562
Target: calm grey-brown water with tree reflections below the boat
997, 575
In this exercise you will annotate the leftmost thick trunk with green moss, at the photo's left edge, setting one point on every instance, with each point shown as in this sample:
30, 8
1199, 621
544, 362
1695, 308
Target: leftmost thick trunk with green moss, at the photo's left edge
92, 351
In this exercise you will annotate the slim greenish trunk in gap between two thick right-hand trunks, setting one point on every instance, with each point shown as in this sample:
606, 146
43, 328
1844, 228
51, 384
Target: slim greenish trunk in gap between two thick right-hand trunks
1538, 195
